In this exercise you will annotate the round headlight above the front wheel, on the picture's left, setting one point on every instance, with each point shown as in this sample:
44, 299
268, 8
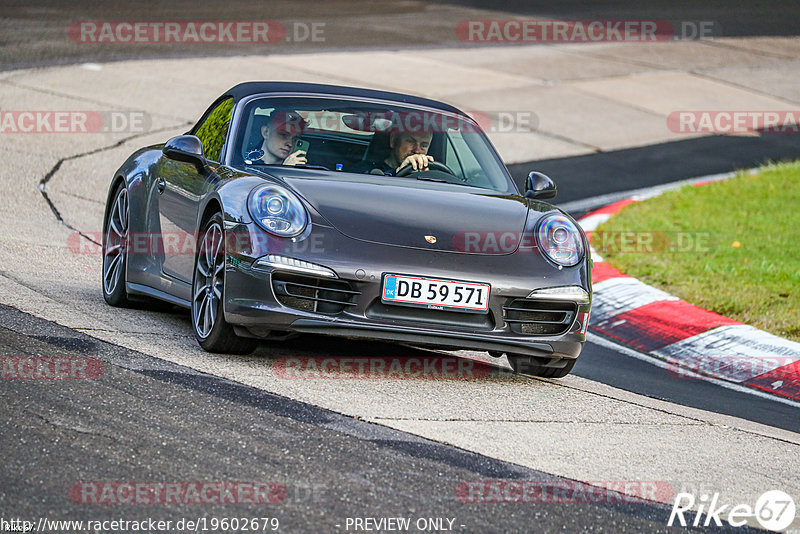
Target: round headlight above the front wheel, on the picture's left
277, 211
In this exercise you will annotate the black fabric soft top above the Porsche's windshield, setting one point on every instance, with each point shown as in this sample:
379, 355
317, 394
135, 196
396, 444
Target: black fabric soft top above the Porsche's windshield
252, 88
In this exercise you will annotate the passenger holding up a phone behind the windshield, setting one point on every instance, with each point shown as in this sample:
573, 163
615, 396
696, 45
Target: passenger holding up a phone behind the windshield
280, 131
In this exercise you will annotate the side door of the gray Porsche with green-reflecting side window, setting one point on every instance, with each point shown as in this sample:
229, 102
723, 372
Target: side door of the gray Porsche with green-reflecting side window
181, 188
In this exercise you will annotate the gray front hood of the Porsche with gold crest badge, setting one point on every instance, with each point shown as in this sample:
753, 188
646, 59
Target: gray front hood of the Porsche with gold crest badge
412, 213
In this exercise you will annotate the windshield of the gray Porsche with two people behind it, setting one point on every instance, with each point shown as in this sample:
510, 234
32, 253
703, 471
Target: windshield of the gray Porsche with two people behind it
367, 137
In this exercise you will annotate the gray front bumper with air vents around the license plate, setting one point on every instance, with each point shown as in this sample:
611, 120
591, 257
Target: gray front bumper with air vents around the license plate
256, 308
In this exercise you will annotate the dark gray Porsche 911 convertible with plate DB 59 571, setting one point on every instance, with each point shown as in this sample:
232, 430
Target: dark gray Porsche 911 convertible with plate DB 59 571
295, 208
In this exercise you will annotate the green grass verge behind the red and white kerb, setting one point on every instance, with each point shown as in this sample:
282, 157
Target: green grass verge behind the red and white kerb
731, 247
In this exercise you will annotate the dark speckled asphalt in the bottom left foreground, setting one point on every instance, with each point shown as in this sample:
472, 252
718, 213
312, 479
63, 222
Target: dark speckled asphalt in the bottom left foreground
144, 420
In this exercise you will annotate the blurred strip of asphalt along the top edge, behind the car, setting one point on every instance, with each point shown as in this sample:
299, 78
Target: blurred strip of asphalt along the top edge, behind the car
32, 33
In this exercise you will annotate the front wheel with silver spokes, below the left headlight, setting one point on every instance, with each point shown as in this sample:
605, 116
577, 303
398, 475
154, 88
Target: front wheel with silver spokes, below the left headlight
208, 282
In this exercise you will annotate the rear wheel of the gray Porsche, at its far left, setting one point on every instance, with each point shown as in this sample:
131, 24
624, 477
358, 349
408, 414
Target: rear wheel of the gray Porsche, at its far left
115, 254
